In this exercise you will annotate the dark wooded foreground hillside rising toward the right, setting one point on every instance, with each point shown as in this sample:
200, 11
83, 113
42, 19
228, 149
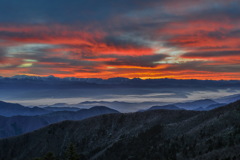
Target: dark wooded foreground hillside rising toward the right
158, 134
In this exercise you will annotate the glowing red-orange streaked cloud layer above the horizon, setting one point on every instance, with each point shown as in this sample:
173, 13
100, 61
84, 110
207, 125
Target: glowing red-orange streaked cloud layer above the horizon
86, 54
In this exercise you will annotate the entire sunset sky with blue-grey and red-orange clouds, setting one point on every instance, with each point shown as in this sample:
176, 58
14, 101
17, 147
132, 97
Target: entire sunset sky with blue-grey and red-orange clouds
187, 39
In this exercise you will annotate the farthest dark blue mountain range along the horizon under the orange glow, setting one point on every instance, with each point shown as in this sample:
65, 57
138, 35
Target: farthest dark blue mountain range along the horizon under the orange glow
36, 82
